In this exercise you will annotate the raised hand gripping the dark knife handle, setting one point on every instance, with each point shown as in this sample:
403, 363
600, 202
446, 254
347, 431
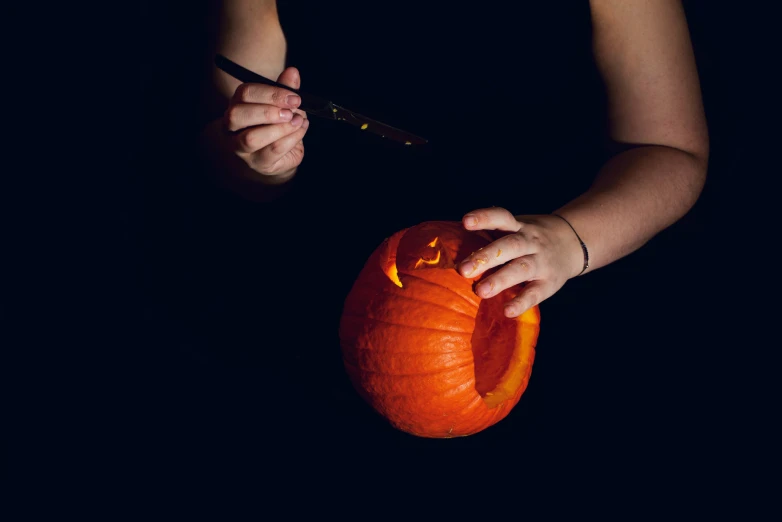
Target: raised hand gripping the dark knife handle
264, 127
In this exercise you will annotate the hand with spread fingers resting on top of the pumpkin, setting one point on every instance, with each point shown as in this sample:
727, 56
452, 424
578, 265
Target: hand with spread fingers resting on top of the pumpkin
540, 251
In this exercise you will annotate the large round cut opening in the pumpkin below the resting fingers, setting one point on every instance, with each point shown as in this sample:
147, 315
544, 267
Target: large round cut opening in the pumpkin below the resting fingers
498, 352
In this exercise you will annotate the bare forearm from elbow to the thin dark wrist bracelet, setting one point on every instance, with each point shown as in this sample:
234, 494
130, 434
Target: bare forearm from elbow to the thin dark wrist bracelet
636, 195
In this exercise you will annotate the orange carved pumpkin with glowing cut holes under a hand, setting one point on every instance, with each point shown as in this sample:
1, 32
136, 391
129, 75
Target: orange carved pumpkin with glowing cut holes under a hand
422, 348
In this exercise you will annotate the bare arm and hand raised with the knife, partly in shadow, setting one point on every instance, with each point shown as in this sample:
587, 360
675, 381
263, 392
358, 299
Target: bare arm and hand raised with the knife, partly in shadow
253, 141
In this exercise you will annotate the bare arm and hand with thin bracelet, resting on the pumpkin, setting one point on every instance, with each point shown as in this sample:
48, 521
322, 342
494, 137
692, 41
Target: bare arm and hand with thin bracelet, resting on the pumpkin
645, 58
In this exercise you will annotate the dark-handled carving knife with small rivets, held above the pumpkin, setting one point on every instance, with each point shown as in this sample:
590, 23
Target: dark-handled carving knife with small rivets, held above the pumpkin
318, 106
